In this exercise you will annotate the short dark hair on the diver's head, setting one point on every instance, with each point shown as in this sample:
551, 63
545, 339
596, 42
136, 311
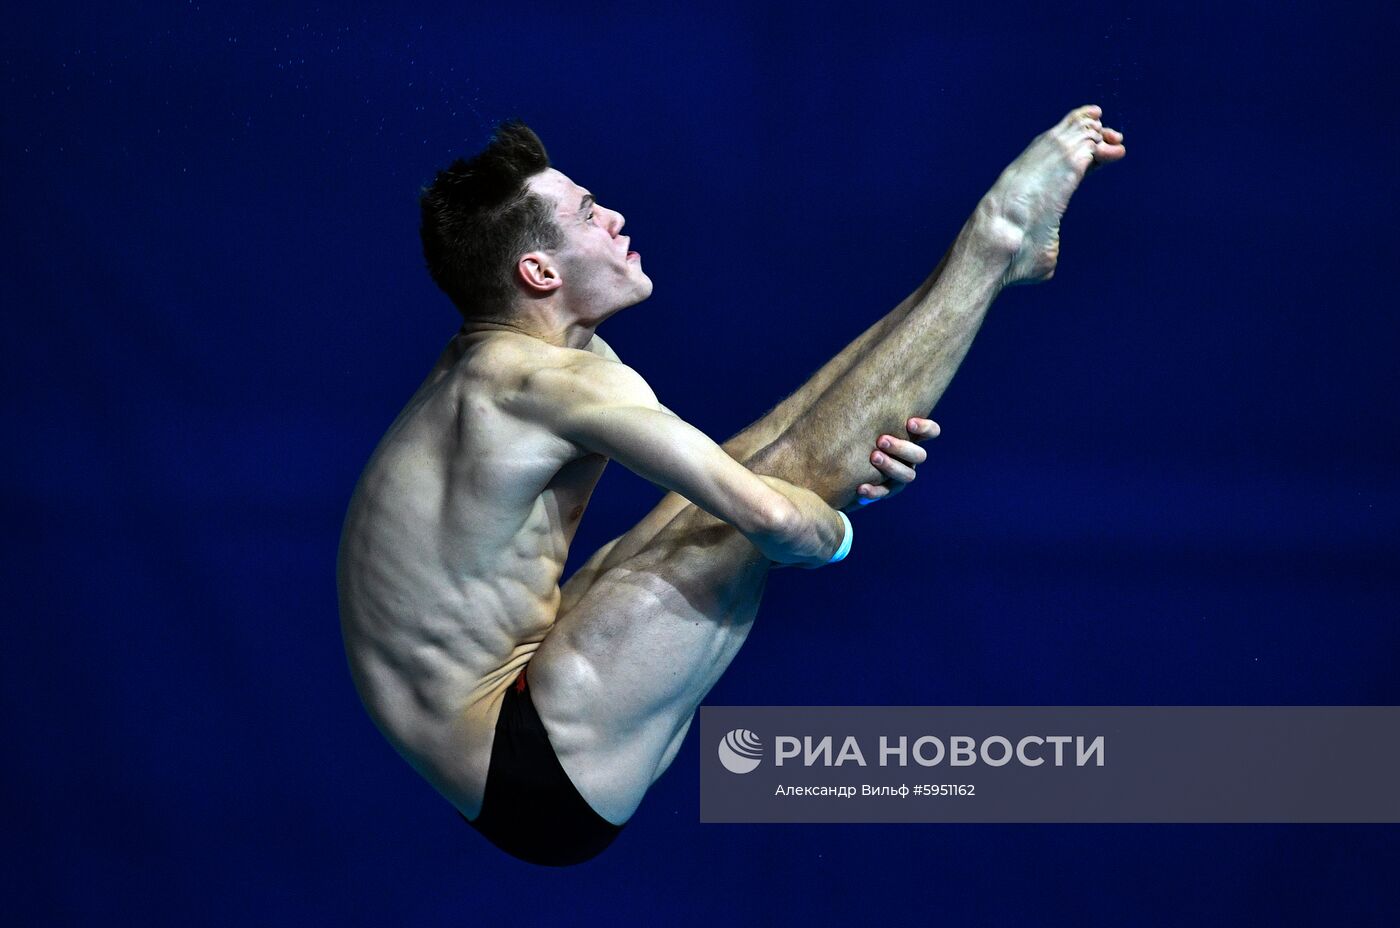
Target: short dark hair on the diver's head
479, 218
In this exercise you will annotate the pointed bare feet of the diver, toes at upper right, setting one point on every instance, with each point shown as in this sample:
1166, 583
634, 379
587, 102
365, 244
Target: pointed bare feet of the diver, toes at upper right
1031, 195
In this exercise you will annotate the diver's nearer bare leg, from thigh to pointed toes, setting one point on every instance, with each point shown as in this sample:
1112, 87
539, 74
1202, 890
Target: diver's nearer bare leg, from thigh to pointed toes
631, 659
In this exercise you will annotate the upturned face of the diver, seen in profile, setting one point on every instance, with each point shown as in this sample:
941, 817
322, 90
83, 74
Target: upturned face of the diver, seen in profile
600, 274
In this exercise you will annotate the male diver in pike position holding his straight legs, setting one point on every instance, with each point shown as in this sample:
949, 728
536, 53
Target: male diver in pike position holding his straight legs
544, 713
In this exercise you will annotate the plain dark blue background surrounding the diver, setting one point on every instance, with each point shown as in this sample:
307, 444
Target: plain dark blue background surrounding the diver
1167, 478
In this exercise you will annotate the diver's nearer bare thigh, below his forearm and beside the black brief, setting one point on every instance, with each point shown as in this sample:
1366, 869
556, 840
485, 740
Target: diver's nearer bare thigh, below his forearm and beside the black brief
621, 674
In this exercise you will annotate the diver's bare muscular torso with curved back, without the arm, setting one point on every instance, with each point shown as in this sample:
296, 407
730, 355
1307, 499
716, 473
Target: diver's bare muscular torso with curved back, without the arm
453, 552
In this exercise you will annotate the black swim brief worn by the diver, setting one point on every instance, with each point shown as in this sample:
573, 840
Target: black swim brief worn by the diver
531, 808
